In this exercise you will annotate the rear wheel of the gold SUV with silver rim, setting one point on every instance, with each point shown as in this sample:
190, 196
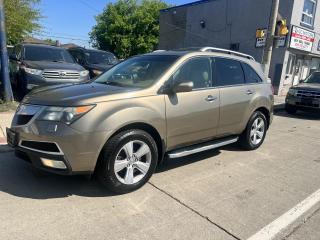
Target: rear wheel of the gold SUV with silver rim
254, 134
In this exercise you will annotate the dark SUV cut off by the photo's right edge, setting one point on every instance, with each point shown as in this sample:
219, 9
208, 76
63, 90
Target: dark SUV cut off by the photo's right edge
304, 96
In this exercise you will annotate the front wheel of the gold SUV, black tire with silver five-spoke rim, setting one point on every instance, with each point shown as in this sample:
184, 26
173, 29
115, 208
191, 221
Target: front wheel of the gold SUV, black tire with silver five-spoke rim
128, 161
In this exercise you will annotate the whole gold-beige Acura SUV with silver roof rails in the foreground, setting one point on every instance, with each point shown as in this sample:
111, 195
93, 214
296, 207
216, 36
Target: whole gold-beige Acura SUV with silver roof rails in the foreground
120, 126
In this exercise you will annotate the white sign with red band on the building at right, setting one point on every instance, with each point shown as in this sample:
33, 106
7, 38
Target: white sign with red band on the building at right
301, 39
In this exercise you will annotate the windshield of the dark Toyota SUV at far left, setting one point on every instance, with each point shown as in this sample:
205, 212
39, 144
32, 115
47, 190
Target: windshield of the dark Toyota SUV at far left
36, 53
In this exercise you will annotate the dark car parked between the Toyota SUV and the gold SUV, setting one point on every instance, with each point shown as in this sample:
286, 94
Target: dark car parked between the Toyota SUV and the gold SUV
95, 61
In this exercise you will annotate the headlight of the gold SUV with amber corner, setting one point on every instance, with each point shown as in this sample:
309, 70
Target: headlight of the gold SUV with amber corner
64, 114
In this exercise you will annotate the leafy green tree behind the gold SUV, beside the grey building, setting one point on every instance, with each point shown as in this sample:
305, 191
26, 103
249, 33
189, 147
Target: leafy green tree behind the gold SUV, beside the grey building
128, 27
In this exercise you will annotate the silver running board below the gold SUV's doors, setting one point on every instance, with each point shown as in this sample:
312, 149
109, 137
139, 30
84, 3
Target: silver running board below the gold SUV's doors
201, 147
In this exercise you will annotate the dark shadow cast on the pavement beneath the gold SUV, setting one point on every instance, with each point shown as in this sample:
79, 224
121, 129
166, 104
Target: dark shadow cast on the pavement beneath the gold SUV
18, 178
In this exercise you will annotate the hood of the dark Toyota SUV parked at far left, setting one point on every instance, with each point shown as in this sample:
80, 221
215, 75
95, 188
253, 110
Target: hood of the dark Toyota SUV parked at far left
53, 65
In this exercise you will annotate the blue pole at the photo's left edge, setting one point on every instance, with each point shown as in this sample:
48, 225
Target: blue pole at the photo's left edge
8, 95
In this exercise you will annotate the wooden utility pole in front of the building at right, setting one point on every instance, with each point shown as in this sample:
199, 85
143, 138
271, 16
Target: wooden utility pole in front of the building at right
267, 54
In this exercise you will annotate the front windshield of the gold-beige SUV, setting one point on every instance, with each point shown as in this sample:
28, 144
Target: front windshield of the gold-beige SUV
138, 72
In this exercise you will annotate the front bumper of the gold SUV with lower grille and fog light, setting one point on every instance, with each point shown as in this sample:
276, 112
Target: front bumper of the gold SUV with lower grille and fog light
77, 151
